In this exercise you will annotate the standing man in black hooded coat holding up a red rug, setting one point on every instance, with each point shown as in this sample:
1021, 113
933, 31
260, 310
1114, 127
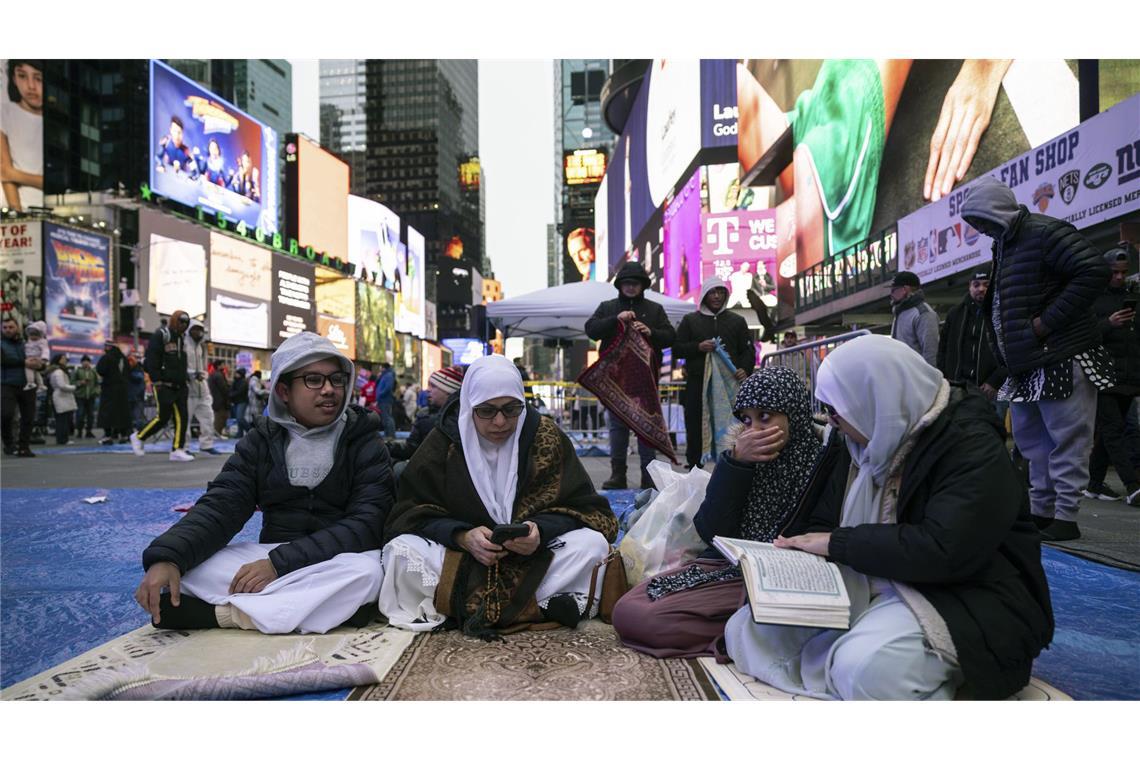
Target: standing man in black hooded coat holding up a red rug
648, 318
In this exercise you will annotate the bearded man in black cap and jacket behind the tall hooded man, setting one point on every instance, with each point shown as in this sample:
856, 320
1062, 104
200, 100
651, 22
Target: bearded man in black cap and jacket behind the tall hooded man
964, 352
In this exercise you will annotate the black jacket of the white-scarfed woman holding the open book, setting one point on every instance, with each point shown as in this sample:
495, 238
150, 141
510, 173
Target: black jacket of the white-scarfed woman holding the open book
964, 541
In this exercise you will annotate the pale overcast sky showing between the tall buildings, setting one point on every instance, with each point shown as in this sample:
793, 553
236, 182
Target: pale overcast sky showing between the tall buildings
517, 150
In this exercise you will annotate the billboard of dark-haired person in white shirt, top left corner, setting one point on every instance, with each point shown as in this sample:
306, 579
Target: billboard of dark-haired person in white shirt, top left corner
22, 133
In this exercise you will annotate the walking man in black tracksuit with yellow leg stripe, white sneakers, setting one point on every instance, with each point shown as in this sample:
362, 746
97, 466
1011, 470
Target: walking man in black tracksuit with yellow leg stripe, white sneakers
166, 363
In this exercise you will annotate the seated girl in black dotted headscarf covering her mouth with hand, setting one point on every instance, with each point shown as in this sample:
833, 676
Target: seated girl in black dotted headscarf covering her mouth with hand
751, 496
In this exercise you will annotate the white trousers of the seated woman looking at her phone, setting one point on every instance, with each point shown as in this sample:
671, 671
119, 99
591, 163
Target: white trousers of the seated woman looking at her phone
413, 566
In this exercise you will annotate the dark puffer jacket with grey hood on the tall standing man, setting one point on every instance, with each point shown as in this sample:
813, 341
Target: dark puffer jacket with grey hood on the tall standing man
1043, 267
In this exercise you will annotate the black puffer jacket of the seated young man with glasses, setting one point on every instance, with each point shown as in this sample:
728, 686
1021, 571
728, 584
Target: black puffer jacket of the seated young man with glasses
345, 513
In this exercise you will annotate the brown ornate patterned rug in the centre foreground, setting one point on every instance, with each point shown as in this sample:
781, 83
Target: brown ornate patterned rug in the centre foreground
587, 664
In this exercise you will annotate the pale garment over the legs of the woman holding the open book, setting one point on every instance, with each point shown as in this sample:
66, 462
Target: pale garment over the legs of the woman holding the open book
882, 657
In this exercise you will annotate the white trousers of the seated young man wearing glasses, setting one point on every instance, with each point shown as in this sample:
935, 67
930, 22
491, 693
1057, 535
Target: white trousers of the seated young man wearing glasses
313, 600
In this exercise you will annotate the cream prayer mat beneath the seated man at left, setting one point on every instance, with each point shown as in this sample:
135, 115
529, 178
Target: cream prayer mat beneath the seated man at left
219, 665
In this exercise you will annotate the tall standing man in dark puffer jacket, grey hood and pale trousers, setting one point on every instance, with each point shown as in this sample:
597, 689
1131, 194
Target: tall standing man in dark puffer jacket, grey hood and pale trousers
1039, 320
